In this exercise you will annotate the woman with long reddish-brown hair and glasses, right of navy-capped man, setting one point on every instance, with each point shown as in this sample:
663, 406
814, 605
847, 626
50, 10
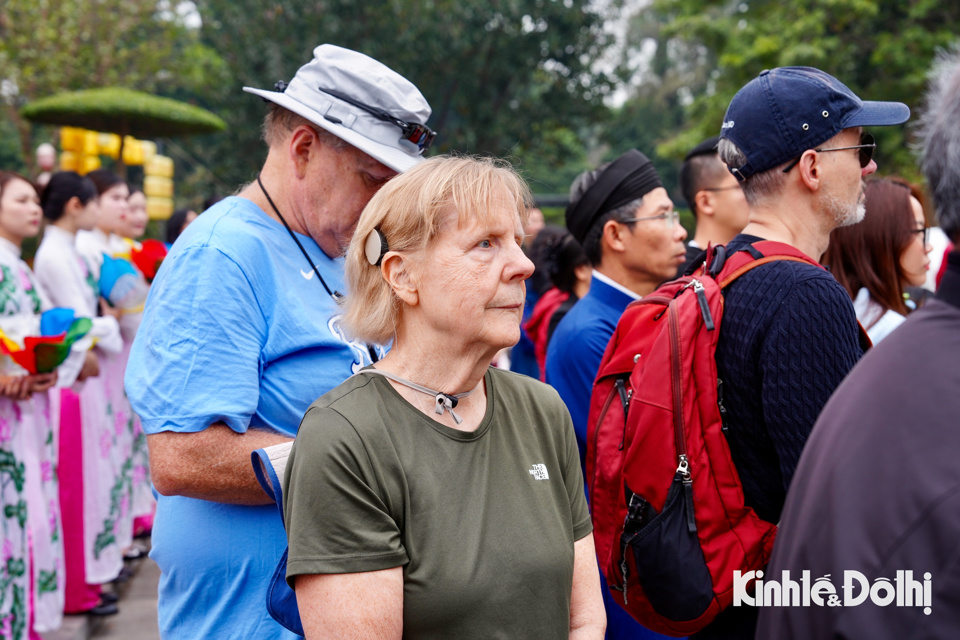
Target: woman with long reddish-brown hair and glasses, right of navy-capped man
877, 259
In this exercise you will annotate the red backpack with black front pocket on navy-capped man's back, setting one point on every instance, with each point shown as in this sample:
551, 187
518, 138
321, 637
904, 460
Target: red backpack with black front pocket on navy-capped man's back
669, 518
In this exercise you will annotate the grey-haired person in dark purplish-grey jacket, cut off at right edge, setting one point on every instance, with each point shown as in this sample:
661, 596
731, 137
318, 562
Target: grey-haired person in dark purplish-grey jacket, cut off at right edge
889, 515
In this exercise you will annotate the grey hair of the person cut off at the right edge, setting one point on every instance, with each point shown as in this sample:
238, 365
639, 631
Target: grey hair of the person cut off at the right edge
938, 140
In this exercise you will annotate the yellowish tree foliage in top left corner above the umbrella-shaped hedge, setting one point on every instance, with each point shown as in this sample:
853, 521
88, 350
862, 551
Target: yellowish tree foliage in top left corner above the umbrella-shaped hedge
51, 46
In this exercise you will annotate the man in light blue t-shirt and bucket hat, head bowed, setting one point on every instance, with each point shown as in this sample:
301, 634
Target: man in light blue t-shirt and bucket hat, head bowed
241, 332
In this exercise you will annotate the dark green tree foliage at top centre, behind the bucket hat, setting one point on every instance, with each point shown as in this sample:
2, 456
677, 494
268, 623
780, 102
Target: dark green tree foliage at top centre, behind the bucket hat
504, 77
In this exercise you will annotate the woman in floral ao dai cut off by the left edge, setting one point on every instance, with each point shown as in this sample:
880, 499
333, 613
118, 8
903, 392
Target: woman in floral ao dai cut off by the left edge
32, 584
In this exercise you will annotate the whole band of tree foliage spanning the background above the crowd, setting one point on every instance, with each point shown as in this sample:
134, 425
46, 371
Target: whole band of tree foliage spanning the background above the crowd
514, 78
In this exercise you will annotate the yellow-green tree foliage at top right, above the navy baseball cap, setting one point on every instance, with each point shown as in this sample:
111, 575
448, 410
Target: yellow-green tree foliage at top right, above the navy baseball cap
881, 49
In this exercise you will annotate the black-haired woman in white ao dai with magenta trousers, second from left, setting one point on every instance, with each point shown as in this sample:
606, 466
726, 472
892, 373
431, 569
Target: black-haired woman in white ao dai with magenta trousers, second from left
89, 510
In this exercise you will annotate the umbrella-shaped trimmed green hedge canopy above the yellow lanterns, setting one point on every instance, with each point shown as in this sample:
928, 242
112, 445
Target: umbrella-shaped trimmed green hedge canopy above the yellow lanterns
123, 111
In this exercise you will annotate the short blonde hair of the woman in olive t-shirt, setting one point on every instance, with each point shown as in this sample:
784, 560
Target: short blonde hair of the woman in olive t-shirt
409, 211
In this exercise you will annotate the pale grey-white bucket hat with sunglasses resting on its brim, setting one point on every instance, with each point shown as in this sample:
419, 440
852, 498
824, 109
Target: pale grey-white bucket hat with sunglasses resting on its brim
362, 102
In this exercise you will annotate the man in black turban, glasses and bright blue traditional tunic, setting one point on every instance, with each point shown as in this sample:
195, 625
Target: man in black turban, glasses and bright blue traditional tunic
625, 222
